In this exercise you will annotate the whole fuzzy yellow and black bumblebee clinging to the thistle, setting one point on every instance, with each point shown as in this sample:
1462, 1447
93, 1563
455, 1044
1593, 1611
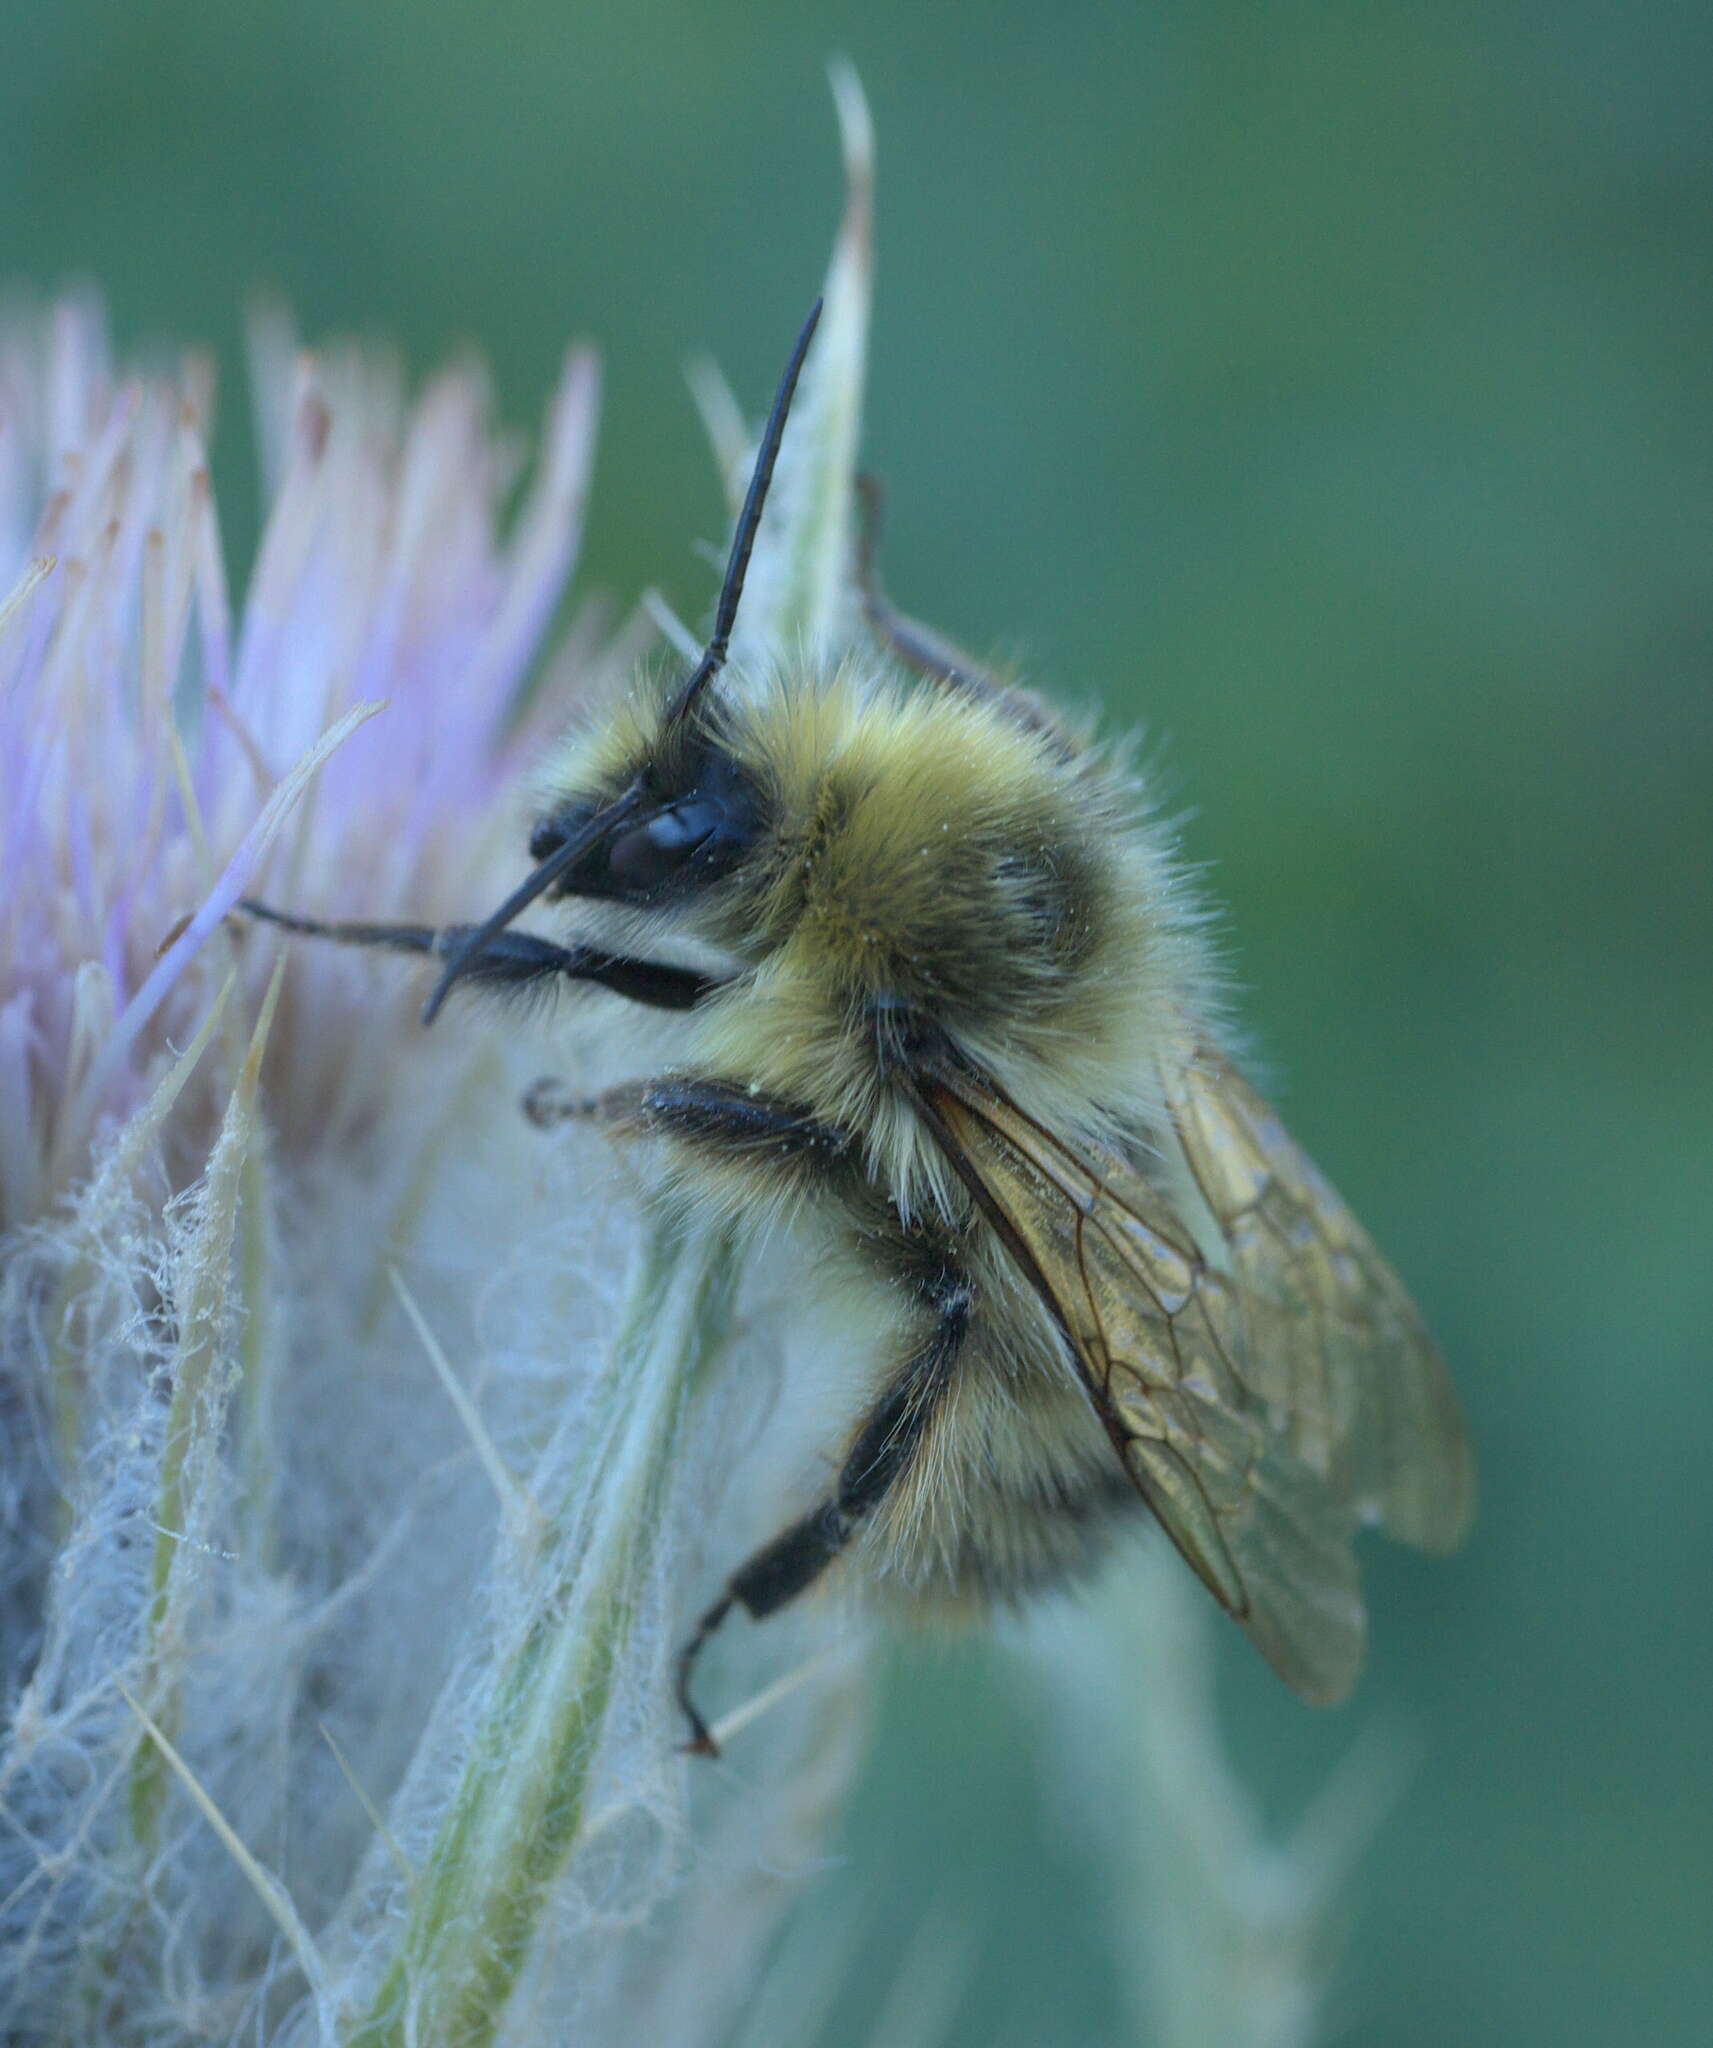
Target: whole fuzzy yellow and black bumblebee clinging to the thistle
968, 1015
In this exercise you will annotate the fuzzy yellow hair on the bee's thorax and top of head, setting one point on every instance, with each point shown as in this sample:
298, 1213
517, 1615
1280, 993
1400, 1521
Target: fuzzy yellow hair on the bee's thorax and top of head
923, 849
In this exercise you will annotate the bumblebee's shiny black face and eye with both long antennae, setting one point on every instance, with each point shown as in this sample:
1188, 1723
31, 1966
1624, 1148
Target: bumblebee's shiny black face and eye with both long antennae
685, 818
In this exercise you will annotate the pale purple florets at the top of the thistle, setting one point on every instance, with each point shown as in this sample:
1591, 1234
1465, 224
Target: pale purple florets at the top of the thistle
155, 742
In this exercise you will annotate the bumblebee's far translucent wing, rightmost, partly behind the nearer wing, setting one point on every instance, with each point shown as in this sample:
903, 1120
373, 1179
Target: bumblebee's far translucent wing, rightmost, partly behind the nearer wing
1337, 1349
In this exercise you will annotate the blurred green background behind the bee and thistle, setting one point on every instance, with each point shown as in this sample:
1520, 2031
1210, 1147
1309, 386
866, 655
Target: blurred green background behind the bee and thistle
1325, 386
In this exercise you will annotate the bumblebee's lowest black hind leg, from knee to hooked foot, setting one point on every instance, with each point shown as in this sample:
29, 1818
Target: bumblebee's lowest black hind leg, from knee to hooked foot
882, 1455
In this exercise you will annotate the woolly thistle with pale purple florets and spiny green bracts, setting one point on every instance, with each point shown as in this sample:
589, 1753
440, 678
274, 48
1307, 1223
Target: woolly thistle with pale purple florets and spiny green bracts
349, 1496
